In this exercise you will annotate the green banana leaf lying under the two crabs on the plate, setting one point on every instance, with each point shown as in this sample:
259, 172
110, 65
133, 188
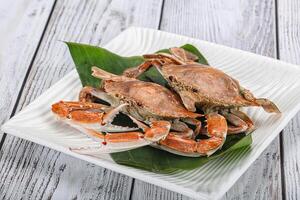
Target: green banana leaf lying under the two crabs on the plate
148, 158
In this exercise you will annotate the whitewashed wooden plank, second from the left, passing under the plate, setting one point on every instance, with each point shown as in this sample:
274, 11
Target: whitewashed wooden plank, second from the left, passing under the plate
29, 170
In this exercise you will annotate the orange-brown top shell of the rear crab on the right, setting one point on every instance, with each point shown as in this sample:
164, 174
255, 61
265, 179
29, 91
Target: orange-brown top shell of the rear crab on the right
211, 85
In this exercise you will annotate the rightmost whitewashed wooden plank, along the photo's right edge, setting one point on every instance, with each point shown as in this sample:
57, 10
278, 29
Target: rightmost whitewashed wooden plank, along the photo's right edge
289, 50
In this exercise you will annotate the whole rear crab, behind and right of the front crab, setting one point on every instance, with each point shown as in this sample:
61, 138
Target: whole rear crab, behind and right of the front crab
204, 86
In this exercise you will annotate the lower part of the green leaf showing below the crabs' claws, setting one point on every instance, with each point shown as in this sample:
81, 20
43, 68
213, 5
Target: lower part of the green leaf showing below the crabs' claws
156, 160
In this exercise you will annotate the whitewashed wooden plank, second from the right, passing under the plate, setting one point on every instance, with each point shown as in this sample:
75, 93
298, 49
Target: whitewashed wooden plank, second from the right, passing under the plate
247, 25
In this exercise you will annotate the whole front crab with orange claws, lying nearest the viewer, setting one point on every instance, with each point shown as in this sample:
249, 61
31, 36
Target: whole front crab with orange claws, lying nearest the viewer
146, 104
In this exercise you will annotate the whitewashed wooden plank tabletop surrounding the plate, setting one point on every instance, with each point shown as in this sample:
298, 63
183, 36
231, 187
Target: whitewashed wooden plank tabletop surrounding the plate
32, 58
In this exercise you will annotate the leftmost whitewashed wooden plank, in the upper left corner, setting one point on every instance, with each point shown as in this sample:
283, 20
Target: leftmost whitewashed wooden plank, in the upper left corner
22, 24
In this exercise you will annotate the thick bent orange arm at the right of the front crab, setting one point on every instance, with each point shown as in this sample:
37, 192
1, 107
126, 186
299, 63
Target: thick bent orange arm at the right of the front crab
217, 130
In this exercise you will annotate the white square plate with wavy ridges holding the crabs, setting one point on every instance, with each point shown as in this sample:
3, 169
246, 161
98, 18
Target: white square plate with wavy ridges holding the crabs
266, 77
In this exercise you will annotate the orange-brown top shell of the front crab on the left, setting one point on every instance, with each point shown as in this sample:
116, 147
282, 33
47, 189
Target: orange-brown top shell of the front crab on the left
147, 100
